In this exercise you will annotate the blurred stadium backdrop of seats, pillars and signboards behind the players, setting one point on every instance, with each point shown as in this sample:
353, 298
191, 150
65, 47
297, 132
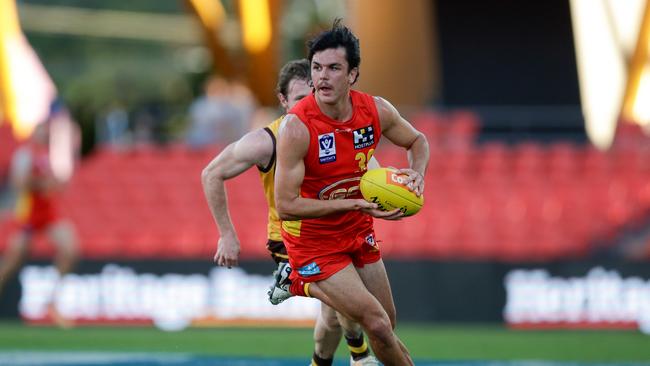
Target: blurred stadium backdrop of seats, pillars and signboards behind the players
537, 211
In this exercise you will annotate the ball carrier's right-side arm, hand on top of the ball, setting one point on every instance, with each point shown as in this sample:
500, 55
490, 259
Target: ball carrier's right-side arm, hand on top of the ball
401, 133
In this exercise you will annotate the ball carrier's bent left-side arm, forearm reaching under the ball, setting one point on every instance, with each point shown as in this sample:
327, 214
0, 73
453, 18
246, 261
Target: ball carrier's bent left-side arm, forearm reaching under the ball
293, 144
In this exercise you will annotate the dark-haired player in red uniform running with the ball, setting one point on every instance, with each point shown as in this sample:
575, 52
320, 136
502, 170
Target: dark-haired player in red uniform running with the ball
324, 145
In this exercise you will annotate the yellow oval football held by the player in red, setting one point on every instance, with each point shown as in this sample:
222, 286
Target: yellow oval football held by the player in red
385, 187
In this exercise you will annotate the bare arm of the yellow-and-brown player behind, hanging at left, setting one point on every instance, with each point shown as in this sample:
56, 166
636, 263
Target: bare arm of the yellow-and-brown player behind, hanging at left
254, 148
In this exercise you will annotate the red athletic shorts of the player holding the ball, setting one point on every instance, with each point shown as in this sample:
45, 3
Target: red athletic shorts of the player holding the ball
317, 259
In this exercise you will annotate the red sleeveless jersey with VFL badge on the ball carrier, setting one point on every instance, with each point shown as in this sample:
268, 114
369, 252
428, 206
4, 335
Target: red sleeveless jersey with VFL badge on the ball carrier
336, 159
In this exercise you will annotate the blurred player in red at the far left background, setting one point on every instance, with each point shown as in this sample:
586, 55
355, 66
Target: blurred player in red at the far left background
36, 211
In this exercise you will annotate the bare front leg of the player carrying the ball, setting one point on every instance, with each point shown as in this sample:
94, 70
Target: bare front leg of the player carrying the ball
345, 292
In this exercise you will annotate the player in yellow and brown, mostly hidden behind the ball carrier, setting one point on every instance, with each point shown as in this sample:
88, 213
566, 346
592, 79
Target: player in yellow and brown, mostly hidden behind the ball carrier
257, 148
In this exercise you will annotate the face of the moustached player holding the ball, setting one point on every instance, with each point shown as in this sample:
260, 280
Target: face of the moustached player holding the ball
331, 75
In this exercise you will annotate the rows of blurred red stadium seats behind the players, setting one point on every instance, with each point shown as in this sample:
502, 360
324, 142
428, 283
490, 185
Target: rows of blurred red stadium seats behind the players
490, 201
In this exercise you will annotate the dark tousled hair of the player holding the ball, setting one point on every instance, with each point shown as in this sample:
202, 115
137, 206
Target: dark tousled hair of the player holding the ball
338, 36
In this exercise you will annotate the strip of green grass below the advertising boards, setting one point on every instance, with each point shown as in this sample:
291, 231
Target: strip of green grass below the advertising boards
425, 342
